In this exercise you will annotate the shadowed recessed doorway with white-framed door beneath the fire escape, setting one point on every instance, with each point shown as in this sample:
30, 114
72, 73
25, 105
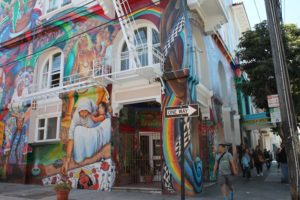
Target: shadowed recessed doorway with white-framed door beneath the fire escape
138, 146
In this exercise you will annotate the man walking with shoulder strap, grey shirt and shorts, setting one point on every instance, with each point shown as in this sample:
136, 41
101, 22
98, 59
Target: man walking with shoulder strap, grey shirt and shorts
225, 166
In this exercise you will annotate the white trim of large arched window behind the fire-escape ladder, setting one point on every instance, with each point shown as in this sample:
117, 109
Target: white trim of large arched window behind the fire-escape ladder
149, 27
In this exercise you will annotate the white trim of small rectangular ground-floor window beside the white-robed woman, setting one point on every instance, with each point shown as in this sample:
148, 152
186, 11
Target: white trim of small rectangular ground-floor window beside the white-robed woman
46, 117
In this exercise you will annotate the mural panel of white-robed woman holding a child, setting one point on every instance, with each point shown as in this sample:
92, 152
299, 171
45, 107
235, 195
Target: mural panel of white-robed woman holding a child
86, 135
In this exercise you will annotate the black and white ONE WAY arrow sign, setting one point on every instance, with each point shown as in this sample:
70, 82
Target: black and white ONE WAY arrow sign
182, 111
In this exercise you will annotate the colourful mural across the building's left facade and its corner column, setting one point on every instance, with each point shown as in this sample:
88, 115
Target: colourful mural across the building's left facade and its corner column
85, 36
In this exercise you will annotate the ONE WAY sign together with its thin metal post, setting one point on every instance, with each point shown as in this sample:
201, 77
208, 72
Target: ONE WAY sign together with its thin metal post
182, 111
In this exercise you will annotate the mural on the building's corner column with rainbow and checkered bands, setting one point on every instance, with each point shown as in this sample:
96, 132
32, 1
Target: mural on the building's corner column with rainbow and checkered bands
176, 41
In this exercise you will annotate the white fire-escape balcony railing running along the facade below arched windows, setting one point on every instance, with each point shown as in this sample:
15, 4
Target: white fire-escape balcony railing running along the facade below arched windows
100, 74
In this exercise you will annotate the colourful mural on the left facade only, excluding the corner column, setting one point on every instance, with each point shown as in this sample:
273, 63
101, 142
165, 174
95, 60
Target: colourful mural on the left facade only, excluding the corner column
90, 166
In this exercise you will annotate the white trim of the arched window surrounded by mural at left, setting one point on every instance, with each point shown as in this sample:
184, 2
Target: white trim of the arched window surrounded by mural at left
40, 74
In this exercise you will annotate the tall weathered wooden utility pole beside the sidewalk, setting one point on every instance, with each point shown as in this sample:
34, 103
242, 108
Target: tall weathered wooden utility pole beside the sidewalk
289, 124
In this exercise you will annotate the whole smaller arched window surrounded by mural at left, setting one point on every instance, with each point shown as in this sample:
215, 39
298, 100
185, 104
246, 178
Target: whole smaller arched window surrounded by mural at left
50, 75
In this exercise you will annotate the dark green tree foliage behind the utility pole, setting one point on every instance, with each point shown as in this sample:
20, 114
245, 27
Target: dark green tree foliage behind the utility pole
256, 55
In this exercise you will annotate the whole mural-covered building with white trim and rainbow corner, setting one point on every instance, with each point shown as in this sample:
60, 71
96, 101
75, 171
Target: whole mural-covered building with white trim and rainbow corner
84, 86
